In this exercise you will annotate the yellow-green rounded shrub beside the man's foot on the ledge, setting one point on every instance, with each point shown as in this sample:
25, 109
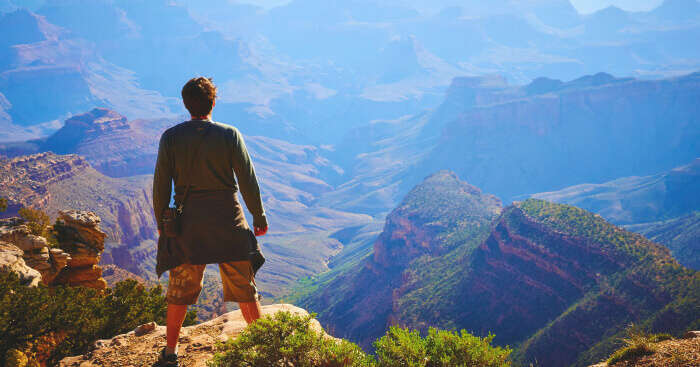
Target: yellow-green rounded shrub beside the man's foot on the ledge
286, 339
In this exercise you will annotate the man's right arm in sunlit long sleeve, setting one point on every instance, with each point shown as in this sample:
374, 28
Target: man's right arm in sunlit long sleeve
248, 183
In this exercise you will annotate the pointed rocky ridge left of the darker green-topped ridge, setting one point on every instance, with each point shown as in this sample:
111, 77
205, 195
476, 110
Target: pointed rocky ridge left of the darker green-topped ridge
420, 228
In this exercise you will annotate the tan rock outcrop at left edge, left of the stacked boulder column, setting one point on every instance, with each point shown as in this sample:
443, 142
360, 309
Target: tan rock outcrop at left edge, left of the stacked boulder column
36, 252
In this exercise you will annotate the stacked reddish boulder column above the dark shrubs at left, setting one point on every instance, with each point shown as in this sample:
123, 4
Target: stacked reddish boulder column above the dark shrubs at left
78, 233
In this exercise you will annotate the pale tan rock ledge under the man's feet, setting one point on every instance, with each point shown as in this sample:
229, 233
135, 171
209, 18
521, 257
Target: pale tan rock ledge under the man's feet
141, 346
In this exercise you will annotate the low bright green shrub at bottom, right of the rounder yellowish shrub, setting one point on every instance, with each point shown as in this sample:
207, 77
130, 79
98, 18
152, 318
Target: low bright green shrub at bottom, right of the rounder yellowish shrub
401, 347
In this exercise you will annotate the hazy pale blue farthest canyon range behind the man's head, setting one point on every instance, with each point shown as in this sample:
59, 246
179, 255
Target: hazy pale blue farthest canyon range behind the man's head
311, 70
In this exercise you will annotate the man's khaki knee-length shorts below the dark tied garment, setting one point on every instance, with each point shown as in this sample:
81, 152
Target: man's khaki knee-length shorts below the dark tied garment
186, 283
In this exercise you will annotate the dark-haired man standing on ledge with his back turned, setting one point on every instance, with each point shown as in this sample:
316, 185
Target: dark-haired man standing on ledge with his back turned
201, 157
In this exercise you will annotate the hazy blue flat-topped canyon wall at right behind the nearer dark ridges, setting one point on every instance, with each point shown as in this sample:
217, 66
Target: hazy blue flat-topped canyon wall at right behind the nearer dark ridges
515, 140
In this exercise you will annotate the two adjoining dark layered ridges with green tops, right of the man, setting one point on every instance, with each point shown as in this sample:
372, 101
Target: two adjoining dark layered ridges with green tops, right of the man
532, 273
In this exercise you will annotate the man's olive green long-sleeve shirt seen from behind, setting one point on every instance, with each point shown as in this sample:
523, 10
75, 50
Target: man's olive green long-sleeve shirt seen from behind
222, 153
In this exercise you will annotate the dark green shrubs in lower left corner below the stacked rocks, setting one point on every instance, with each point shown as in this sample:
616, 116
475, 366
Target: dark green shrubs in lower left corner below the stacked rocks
72, 318
